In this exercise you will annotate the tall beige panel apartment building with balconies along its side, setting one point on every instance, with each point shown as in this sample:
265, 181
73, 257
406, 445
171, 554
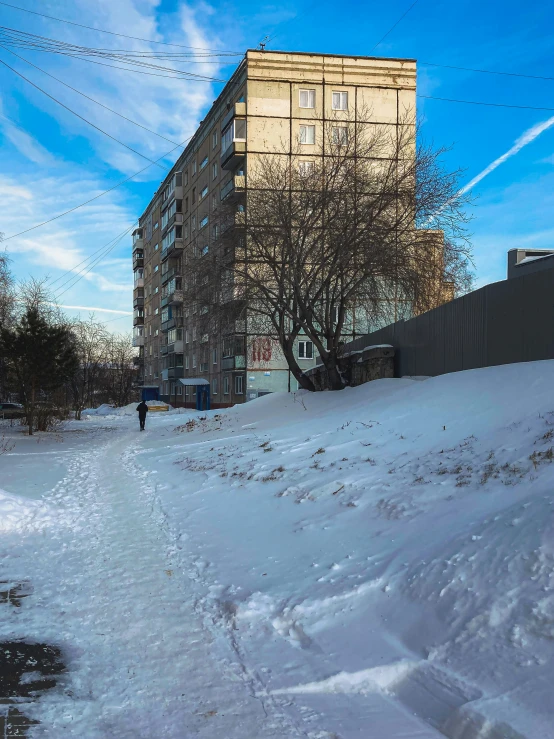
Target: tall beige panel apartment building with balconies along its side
273, 102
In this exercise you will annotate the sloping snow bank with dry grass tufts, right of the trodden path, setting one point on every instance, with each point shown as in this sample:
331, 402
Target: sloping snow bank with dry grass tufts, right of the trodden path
437, 497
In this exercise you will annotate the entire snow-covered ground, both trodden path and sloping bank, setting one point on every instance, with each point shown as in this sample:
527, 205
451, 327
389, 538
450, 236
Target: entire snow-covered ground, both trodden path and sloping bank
371, 564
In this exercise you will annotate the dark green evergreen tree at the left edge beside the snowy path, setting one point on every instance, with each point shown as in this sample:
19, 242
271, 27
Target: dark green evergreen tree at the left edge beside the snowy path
40, 356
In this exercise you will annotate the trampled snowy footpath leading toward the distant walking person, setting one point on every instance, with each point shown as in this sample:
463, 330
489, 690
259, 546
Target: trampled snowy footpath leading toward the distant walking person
144, 664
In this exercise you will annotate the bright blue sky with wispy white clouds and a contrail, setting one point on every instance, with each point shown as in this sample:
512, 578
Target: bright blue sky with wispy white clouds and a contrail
51, 161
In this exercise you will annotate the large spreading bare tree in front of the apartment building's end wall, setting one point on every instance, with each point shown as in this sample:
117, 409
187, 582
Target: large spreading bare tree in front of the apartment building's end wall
369, 230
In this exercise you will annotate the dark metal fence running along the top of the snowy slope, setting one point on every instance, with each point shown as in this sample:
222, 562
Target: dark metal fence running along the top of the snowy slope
505, 322
